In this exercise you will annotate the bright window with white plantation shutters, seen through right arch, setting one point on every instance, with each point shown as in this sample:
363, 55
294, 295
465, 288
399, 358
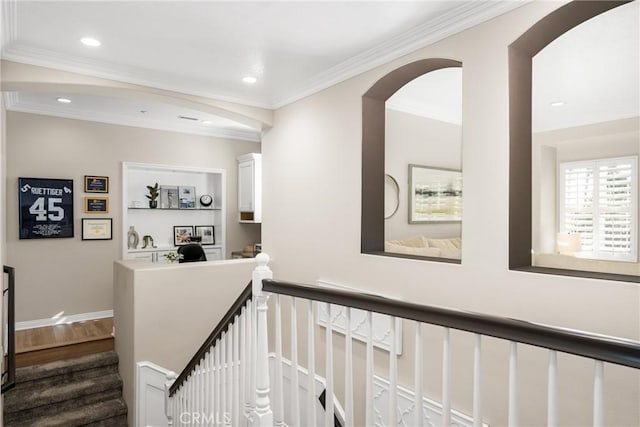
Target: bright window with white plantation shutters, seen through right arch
598, 200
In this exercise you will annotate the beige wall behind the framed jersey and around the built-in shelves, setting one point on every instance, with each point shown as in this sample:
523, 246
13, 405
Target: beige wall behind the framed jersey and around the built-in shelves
75, 276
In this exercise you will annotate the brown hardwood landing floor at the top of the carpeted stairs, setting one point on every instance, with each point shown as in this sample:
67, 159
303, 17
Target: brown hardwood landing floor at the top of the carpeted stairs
64, 341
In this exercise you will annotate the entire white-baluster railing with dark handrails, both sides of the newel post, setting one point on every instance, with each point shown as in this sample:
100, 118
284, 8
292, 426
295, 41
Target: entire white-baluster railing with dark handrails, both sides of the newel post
227, 382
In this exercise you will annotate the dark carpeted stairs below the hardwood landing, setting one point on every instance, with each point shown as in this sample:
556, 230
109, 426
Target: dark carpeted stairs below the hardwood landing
85, 391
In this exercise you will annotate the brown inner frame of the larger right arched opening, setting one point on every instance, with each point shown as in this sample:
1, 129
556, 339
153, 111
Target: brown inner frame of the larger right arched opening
522, 233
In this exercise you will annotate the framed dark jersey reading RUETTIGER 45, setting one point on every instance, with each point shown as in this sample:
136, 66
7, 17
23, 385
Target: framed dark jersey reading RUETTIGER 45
45, 208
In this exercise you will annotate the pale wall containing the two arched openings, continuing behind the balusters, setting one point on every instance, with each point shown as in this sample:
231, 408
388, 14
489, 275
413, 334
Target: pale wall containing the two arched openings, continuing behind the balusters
312, 190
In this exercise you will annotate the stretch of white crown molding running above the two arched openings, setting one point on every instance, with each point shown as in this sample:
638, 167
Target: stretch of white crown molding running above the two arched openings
454, 21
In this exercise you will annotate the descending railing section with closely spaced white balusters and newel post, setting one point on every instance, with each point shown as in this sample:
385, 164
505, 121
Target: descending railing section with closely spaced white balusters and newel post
227, 381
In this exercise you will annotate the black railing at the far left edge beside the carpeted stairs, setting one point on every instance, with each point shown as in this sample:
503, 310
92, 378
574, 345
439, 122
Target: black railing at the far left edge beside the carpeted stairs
9, 328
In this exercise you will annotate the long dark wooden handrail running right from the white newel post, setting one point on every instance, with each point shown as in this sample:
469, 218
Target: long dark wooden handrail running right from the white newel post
599, 347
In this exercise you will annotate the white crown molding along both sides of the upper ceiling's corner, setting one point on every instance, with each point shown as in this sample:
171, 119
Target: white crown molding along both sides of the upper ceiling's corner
454, 21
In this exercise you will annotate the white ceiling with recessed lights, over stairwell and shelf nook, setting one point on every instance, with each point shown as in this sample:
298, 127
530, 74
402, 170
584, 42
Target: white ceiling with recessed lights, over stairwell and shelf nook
205, 48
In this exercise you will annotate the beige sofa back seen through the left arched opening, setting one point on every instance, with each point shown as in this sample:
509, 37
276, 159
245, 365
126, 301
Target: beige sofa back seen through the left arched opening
426, 246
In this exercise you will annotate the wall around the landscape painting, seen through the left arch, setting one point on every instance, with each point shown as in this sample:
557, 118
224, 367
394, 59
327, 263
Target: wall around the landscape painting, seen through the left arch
412, 139
